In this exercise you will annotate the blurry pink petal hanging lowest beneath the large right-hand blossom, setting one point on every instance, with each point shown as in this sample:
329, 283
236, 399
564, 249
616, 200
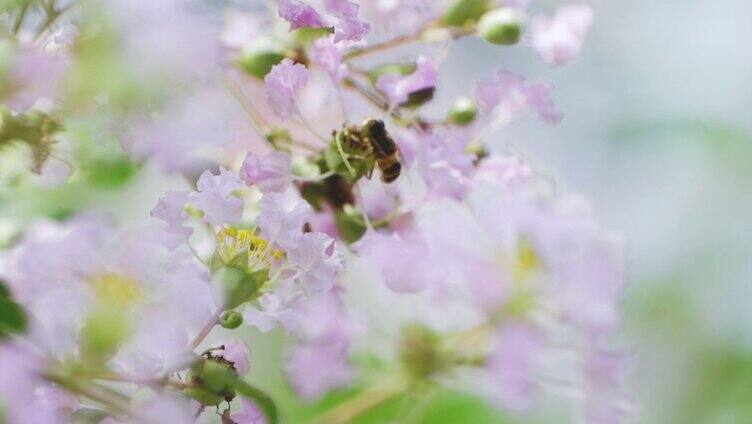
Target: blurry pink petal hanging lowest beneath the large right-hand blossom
512, 364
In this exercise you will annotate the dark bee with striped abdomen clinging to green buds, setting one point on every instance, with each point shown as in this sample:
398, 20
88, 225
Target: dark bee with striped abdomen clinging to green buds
370, 145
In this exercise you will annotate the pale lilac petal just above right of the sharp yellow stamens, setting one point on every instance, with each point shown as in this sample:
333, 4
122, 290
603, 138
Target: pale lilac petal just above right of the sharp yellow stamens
282, 218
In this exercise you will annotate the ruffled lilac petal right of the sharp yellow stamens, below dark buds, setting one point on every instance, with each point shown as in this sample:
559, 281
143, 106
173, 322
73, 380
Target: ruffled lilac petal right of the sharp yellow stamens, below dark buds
316, 260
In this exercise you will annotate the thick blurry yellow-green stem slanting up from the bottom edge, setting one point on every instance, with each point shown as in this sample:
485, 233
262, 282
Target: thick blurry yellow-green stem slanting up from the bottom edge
363, 402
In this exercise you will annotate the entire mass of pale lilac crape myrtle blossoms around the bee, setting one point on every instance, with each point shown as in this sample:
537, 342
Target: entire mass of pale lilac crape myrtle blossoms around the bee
362, 201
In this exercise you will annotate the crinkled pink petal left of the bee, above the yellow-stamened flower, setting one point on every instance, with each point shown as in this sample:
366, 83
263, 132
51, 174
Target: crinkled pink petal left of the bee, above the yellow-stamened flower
270, 173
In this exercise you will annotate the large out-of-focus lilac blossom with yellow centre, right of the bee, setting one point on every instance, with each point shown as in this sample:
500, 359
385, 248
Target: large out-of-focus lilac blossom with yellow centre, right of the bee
520, 257
